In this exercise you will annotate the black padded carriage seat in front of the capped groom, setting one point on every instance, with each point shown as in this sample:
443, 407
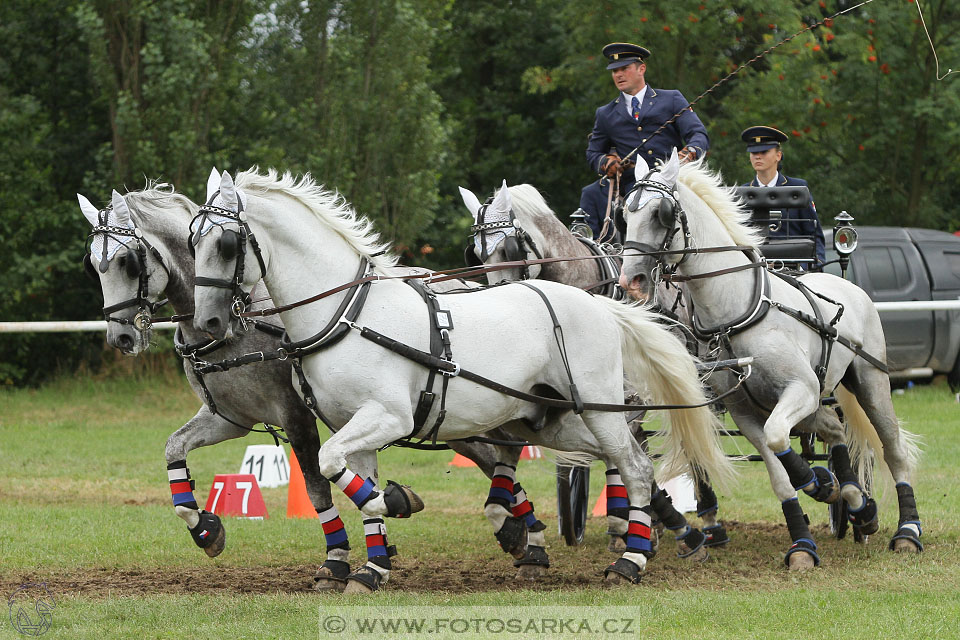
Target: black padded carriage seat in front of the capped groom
767, 205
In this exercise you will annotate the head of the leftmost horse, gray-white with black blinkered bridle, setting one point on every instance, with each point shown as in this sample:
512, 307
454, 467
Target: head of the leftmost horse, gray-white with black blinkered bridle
130, 272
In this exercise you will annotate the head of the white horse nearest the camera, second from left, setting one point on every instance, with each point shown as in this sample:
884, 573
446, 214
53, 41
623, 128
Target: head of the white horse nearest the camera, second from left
220, 239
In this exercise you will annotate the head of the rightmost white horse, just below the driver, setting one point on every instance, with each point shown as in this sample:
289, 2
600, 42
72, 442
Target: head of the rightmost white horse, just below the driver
650, 223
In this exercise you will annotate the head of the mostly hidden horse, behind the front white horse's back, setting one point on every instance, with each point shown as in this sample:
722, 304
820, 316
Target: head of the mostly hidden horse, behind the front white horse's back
498, 236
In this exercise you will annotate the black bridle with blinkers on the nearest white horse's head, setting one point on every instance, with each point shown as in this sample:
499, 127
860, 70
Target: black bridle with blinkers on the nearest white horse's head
232, 245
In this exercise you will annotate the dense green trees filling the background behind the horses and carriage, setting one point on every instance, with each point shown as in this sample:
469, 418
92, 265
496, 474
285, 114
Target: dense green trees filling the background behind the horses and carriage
395, 103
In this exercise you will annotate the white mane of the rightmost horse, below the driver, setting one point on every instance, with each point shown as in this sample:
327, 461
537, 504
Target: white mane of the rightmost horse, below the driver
708, 186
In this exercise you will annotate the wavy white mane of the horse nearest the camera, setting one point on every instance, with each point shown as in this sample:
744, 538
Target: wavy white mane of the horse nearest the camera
330, 208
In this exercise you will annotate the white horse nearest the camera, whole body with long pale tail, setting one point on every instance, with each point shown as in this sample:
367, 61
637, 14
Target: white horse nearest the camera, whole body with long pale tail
309, 241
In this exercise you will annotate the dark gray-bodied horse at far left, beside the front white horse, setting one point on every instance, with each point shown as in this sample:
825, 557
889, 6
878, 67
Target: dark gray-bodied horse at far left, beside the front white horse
138, 254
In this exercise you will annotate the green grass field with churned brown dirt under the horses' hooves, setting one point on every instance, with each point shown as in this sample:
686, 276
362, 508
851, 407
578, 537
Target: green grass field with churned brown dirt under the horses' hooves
84, 507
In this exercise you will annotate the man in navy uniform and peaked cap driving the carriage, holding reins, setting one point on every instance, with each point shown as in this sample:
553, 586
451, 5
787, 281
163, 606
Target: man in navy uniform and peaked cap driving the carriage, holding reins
629, 123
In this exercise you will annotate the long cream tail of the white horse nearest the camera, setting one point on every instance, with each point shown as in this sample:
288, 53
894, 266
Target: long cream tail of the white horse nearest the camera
656, 361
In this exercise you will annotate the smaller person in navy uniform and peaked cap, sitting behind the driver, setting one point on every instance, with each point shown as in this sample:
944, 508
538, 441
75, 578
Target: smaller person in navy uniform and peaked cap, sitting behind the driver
763, 145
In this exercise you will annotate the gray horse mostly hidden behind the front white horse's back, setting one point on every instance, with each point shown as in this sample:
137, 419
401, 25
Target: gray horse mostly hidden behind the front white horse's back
530, 229
